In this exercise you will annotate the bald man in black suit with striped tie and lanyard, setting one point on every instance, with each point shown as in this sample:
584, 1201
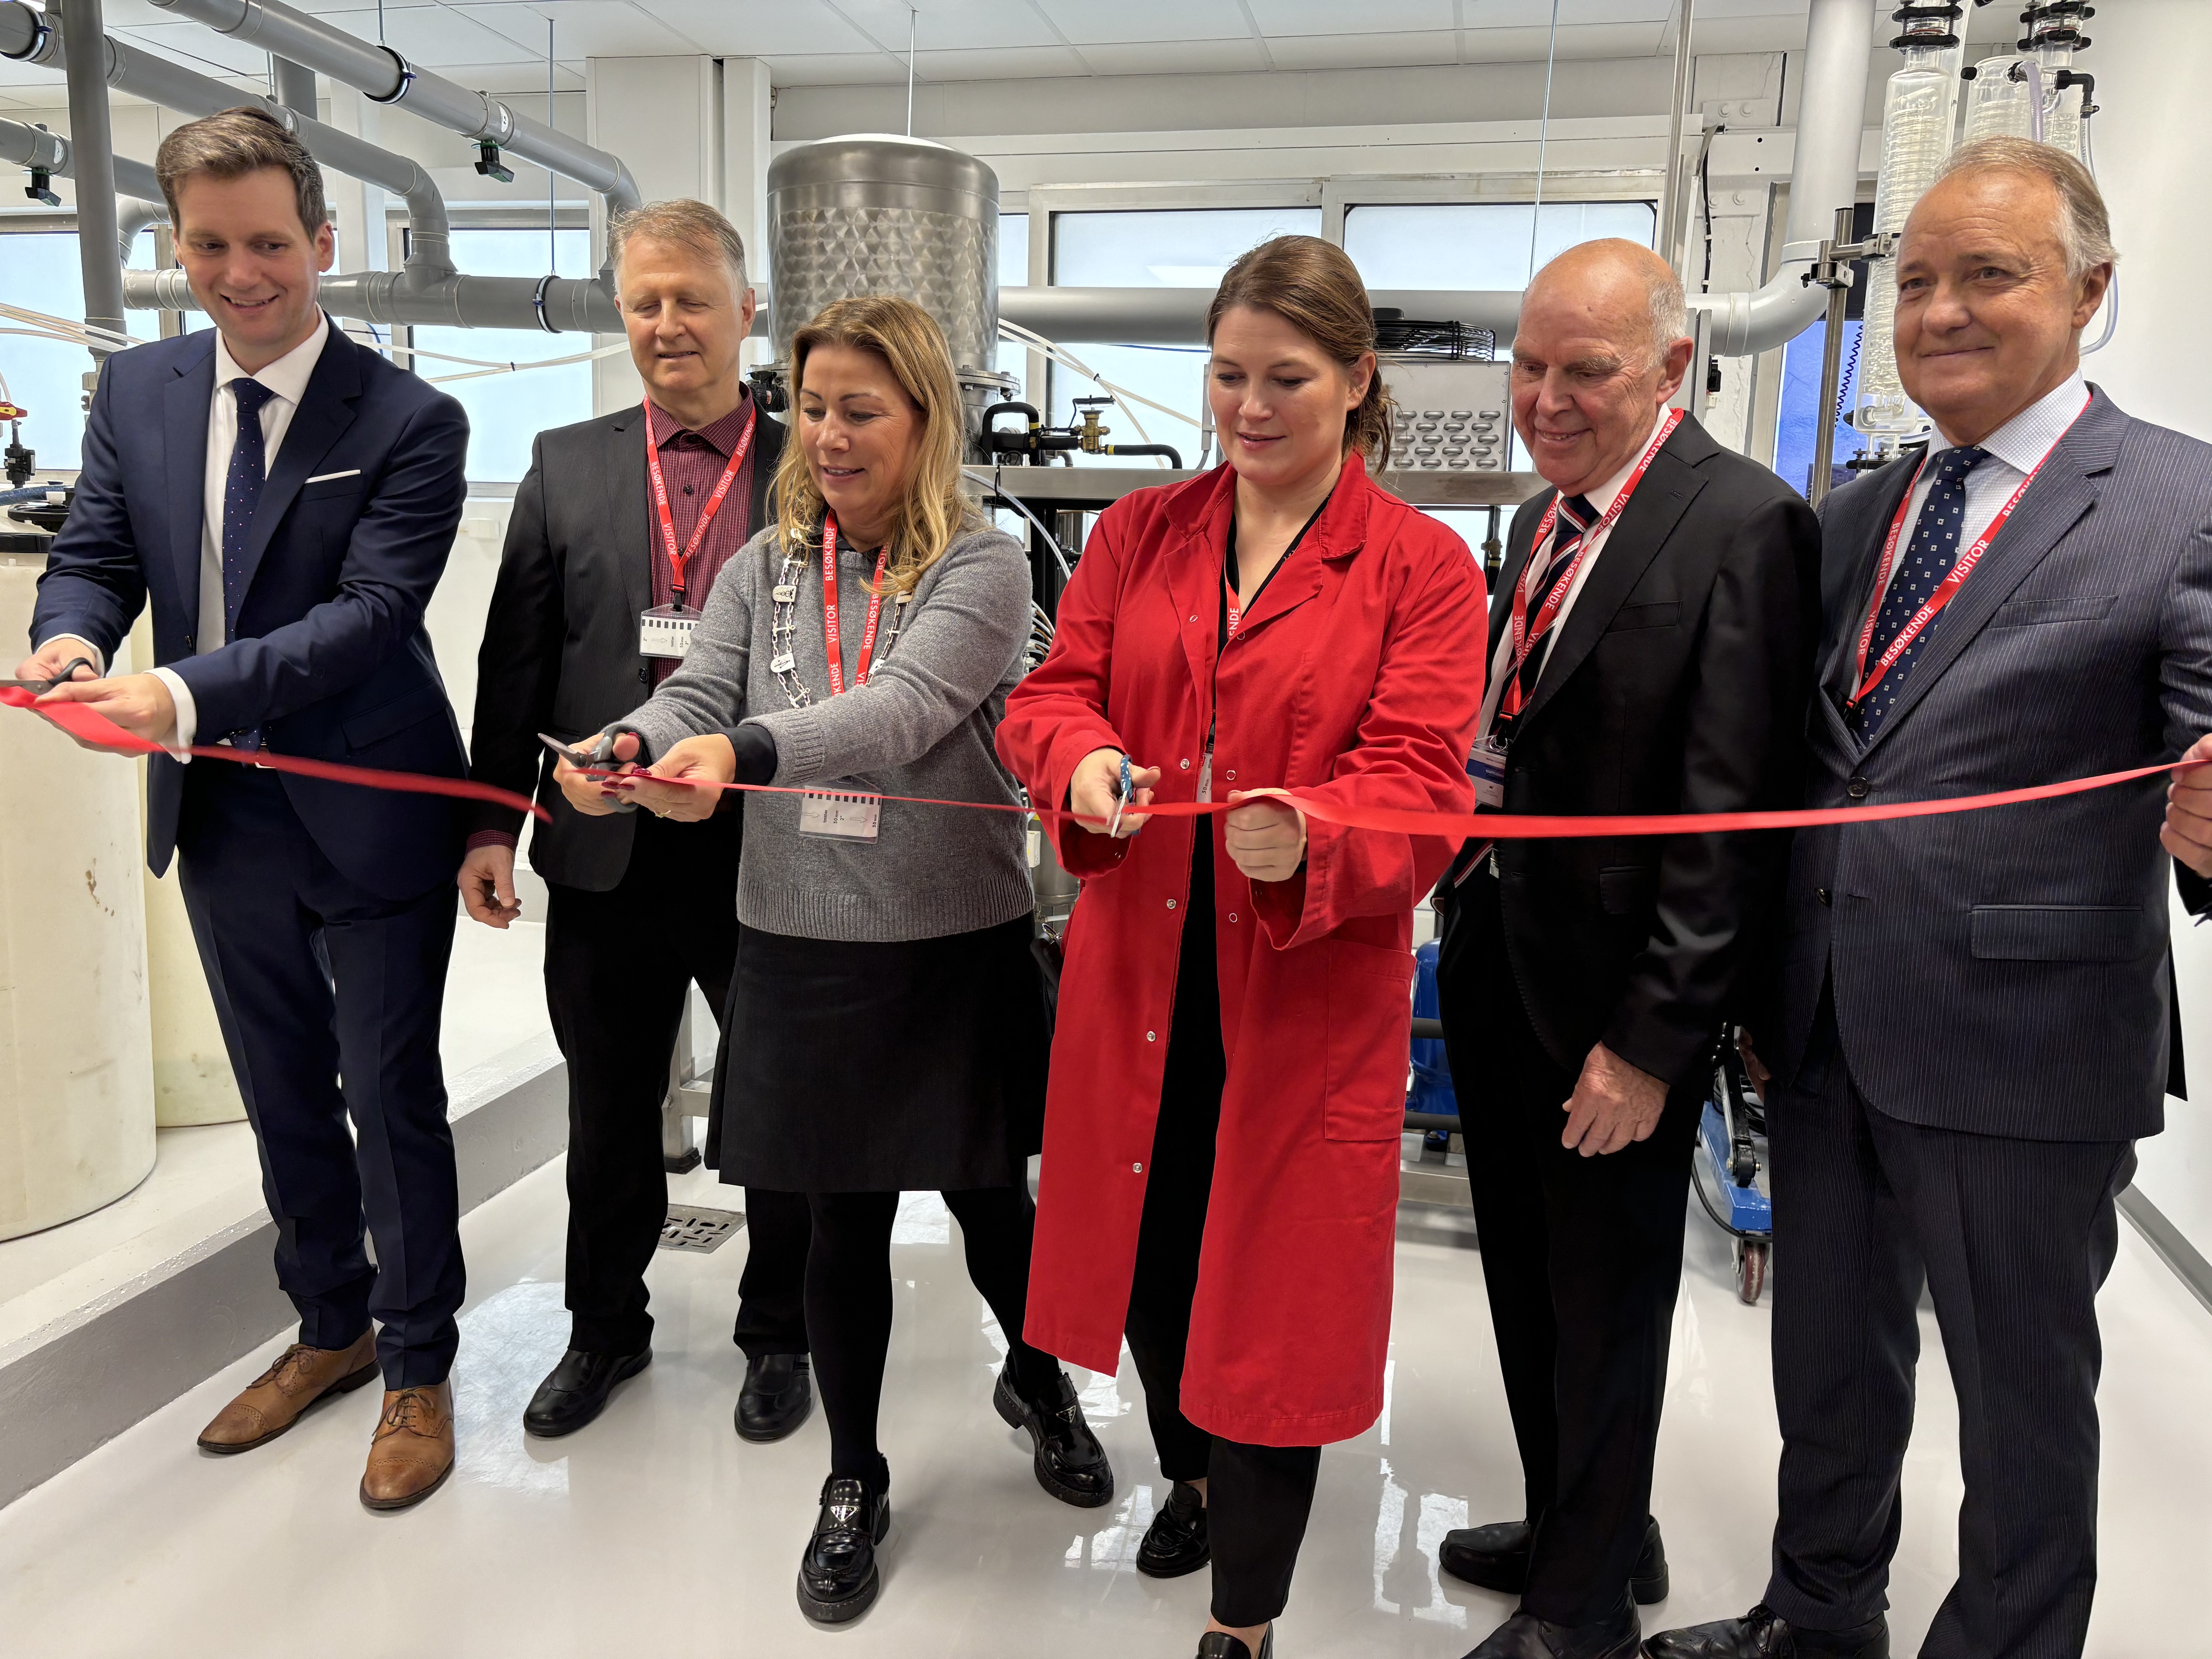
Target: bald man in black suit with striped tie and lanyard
1651, 643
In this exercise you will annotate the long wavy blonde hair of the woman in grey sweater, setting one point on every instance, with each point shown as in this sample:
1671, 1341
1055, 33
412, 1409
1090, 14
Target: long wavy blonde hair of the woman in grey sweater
935, 510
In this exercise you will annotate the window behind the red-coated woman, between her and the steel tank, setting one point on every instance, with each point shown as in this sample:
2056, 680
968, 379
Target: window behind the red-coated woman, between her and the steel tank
1171, 249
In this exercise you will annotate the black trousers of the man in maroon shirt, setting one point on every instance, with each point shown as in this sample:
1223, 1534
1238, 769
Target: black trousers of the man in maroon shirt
616, 1005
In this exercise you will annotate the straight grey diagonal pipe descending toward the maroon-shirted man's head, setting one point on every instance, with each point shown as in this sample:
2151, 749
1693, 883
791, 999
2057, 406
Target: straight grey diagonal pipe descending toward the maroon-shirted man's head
390, 79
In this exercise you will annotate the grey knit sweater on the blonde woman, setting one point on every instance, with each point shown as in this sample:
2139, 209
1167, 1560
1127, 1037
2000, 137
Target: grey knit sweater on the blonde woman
921, 727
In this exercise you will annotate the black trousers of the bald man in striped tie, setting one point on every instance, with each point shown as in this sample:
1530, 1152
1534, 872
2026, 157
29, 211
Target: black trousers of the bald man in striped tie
1583, 1264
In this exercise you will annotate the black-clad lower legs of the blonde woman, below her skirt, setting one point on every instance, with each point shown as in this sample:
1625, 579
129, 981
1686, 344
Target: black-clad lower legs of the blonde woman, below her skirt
851, 1306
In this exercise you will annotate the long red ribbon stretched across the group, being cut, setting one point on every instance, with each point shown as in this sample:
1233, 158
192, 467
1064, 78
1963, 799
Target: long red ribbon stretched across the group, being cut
87, 724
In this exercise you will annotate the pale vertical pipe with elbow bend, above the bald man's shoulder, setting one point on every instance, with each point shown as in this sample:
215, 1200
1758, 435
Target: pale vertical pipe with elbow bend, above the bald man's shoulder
1824, 178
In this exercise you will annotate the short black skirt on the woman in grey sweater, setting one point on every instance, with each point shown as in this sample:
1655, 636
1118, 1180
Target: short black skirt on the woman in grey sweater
881, 1067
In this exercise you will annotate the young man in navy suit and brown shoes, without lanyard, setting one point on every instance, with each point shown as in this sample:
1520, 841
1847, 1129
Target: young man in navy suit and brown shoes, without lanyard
286, 503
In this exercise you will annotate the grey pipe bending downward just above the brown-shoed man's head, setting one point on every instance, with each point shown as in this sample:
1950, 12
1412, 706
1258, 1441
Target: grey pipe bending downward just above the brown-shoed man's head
39, 39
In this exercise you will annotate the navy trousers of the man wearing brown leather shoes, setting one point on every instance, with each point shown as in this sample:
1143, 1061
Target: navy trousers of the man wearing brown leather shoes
331, 1001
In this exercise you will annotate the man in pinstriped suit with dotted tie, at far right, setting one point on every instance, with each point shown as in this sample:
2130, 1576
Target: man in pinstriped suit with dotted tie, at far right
1976, 1008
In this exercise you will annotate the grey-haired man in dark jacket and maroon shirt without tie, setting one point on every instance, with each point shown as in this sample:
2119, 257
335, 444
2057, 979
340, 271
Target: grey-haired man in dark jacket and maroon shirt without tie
596, 589
